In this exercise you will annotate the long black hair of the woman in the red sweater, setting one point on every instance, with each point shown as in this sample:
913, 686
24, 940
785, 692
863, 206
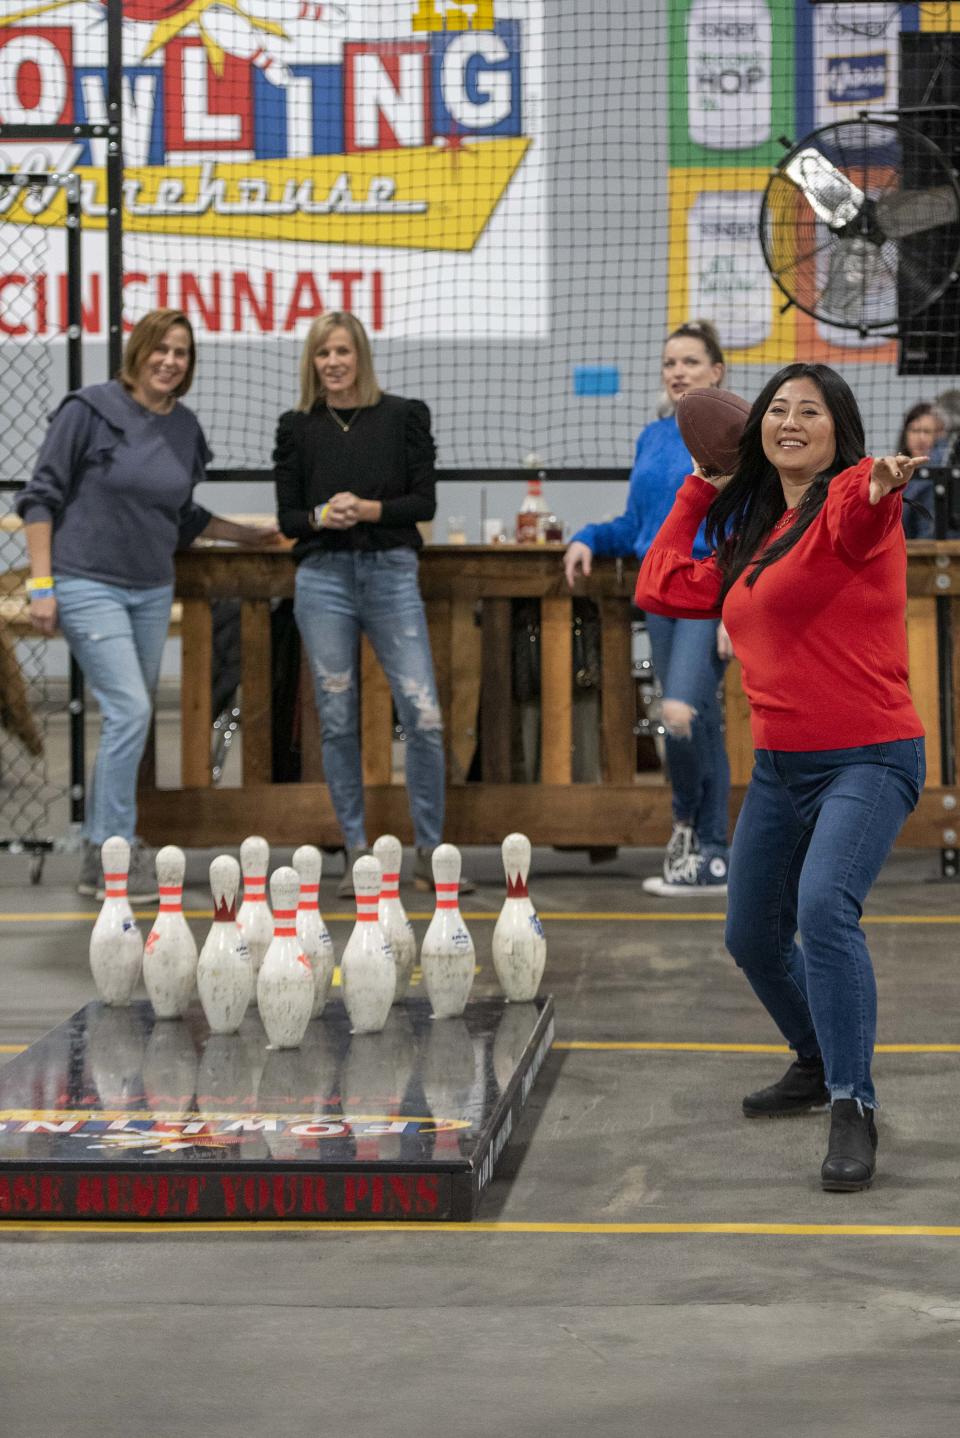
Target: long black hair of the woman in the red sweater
745, 511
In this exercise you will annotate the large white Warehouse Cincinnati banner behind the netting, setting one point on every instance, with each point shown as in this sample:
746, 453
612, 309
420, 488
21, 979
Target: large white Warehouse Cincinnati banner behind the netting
284, 159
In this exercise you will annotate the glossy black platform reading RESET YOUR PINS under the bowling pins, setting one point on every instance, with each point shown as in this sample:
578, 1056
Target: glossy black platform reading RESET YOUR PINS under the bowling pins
119, 1115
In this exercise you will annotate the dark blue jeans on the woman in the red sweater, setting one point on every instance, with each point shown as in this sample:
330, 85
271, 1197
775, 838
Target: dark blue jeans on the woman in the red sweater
811, 839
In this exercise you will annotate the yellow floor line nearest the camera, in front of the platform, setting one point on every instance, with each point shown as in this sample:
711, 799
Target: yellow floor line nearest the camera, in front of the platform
481, 1227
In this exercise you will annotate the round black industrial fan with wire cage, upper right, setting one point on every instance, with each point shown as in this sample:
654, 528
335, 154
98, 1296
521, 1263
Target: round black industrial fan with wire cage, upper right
860, 224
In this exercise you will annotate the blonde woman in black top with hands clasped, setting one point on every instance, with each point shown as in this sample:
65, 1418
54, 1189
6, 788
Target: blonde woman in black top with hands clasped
354, 475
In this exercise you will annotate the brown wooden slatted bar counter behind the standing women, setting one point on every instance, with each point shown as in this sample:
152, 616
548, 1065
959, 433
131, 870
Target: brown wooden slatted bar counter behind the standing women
469, 593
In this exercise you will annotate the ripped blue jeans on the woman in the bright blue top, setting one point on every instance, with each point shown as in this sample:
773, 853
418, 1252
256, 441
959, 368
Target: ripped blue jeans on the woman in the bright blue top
689, 669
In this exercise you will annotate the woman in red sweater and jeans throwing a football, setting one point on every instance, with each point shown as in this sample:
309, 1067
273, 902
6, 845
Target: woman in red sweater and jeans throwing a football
810, 576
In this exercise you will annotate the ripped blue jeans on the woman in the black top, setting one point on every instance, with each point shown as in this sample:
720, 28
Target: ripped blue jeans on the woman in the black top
337, 597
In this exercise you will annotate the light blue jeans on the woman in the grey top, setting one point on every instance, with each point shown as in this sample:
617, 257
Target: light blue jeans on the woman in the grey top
117, 638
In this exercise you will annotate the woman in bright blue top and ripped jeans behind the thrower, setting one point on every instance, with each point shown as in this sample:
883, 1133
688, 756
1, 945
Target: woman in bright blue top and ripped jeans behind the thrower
685, 652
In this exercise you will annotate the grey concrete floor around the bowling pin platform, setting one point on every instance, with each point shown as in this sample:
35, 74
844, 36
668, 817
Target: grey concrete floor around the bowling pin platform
555, 1332
